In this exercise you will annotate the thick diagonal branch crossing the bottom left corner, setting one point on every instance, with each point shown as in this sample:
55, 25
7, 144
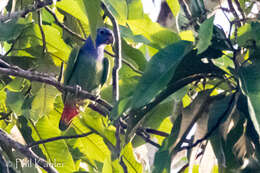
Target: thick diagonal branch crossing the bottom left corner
7, 140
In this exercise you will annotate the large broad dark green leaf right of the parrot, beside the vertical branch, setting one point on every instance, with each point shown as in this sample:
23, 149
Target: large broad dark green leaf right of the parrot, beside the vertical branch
159, 71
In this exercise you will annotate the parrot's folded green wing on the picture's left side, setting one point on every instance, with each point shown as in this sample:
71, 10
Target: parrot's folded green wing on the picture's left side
71, 65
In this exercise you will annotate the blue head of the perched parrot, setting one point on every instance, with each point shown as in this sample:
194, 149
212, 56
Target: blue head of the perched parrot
104, 36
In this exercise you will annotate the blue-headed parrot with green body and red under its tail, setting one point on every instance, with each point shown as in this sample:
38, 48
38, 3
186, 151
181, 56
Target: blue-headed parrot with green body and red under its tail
87, 69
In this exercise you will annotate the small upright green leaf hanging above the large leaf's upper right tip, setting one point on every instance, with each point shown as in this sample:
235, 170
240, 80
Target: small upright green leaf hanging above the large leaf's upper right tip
205, 34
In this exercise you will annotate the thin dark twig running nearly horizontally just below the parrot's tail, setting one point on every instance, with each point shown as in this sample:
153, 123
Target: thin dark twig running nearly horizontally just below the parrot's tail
58, 138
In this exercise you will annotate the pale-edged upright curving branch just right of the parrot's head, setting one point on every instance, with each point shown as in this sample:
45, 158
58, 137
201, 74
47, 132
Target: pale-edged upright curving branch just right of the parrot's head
117, 50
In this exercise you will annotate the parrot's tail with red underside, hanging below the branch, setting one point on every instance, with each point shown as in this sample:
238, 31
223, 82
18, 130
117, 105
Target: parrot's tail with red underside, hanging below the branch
69, 111
